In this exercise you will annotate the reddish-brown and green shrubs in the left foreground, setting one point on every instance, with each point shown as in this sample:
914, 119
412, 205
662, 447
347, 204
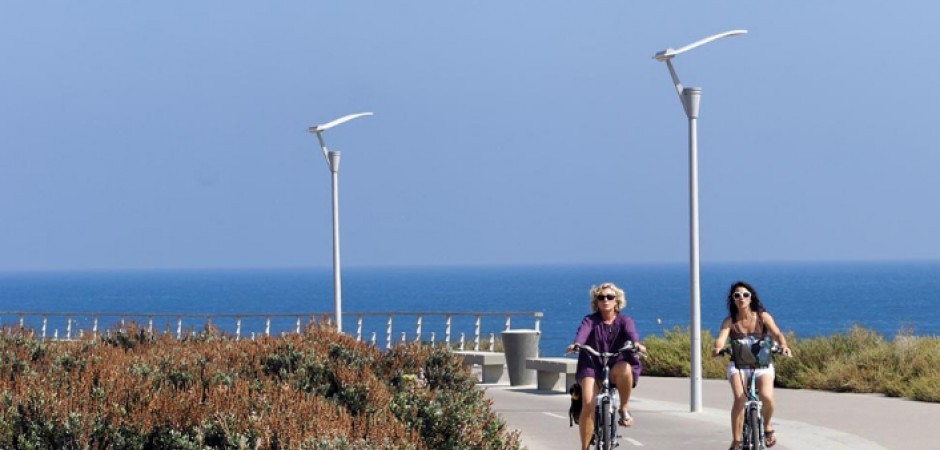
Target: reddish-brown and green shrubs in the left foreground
317, 390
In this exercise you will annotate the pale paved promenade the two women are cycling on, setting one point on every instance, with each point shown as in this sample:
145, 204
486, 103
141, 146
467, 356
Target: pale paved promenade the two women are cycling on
804, 419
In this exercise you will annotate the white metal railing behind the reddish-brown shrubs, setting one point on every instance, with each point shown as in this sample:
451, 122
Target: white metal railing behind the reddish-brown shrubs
76, 324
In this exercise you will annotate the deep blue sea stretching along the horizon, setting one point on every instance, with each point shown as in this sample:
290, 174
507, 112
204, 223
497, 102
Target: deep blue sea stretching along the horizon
807, 299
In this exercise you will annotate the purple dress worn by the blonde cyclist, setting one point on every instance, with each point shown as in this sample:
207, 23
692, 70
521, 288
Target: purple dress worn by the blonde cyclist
606, 338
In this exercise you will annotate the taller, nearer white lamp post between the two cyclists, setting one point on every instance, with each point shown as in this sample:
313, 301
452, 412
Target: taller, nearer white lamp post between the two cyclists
690, 98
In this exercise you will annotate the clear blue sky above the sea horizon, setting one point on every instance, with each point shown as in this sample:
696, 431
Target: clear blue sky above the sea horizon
173, 134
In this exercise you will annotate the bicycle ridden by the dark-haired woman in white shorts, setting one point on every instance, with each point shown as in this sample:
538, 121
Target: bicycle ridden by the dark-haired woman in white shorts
753, 433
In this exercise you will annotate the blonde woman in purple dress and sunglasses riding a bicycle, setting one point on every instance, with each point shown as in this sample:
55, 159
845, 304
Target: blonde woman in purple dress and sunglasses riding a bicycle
606, 330
